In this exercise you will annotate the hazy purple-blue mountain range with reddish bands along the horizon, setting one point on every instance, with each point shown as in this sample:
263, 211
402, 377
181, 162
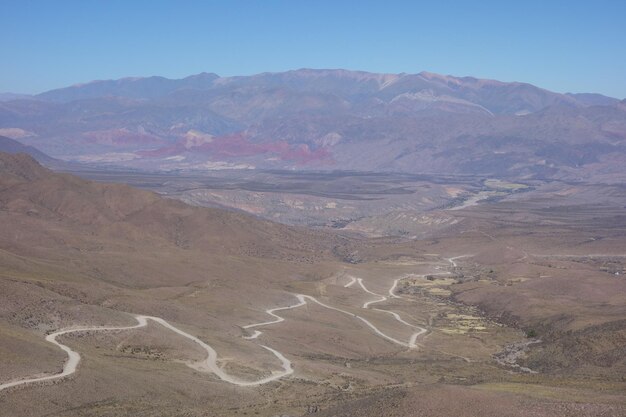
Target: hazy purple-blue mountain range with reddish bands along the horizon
328, 120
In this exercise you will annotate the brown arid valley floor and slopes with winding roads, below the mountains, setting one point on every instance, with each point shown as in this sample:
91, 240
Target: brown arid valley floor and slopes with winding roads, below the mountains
512, 306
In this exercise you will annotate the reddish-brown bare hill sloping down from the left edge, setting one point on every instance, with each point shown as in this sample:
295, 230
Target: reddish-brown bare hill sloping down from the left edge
119, 211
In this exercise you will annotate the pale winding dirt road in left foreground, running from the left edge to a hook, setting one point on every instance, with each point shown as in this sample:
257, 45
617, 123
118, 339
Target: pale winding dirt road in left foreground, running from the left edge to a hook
209, 365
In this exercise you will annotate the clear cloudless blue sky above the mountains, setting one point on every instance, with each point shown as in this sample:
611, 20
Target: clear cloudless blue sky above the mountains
565, 46
